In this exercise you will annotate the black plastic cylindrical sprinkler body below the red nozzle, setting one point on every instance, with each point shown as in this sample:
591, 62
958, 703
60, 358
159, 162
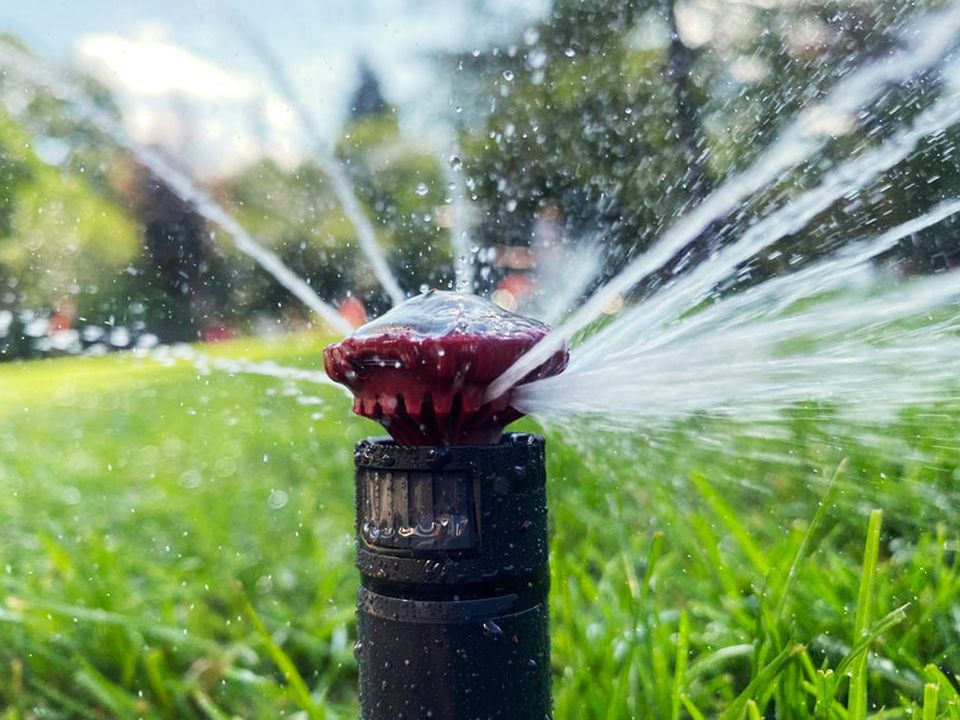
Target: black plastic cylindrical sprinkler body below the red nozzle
453, 621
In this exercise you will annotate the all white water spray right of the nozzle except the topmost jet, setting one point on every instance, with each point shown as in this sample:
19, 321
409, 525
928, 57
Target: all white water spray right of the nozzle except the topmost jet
748, 355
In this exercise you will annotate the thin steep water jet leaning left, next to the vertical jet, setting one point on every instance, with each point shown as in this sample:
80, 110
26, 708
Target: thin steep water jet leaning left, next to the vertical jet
331, 167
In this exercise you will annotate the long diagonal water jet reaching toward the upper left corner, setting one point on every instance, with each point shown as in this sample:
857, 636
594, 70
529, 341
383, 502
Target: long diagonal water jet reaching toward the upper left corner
183, 186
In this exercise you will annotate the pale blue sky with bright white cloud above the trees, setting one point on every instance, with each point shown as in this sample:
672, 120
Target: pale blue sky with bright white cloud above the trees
187, 78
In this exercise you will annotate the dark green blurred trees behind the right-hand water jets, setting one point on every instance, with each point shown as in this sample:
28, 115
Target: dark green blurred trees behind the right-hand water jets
622, 114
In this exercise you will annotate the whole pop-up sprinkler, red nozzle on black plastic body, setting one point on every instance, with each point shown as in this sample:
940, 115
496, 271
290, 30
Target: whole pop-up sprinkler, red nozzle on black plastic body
451, 515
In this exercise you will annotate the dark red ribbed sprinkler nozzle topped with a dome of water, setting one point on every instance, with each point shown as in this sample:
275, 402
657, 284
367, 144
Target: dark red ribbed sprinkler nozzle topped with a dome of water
421, 370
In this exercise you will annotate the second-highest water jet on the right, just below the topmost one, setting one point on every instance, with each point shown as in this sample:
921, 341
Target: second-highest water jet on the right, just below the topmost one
843, 180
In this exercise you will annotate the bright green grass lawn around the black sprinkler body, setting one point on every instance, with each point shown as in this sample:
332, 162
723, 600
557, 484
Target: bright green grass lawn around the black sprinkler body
176, 545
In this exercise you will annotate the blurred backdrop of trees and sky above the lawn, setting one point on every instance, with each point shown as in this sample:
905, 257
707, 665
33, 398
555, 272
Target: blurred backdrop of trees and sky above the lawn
561, 126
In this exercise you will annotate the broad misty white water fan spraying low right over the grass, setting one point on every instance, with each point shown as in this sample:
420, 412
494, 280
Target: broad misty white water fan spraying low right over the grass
859, 352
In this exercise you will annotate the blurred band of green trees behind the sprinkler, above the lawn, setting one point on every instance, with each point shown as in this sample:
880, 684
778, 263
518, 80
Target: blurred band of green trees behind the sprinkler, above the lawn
602, 116
